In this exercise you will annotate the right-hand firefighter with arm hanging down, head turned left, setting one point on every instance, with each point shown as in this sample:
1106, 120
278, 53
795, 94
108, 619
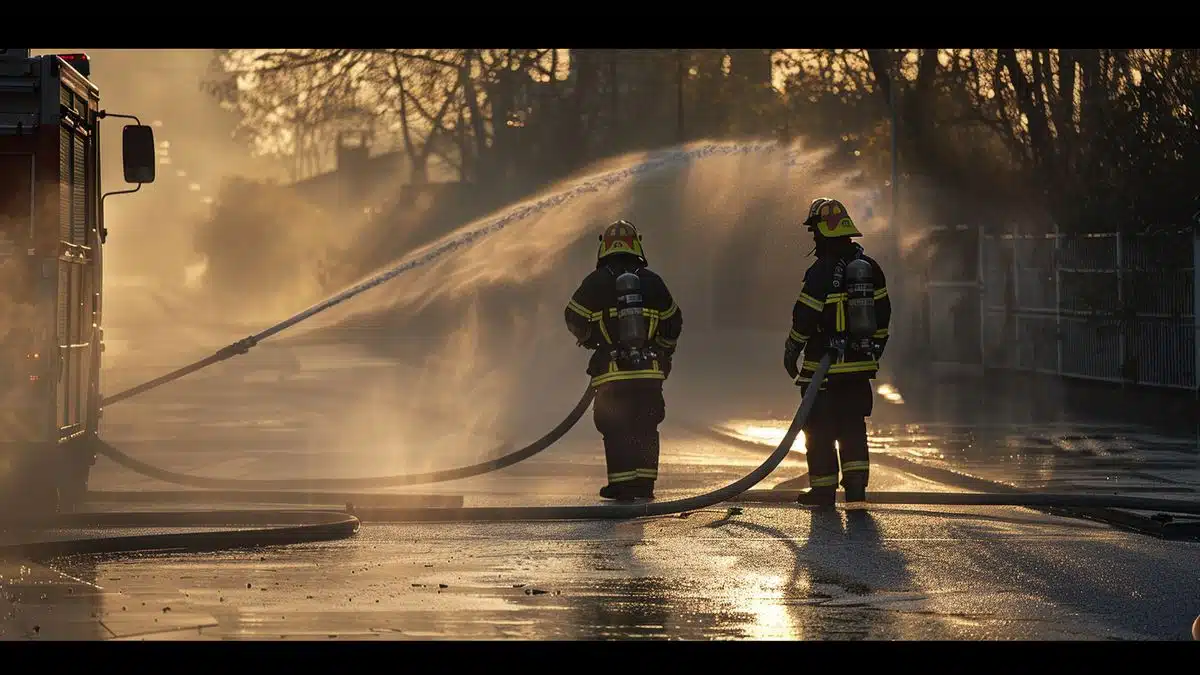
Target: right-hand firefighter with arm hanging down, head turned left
844, 308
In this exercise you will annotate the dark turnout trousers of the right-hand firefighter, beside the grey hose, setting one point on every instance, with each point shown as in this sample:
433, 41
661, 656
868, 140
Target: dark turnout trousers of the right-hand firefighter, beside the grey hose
839, 416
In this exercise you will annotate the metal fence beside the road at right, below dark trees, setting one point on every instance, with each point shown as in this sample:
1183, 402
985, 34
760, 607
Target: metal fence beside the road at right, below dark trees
1096, 307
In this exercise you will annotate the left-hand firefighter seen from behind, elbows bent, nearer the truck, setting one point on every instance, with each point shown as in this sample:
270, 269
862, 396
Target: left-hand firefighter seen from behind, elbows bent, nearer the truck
626, 314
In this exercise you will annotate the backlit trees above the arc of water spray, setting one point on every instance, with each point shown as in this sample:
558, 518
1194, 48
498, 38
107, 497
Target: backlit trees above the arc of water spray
1081, 139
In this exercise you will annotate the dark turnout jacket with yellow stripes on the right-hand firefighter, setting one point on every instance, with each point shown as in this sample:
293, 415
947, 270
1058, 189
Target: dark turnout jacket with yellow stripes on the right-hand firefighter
820, 314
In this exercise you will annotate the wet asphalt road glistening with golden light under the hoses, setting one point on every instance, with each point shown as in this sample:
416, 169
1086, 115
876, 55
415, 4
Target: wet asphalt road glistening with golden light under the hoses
766, 572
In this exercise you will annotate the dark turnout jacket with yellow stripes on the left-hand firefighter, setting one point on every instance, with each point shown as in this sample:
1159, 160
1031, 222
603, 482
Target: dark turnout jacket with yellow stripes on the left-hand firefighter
592, 318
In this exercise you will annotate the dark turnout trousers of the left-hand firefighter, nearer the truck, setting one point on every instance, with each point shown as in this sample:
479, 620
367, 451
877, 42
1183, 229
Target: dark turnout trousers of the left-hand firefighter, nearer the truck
628, 415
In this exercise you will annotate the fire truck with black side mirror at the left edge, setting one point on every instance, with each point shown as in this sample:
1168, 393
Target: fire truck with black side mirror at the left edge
52, 236
